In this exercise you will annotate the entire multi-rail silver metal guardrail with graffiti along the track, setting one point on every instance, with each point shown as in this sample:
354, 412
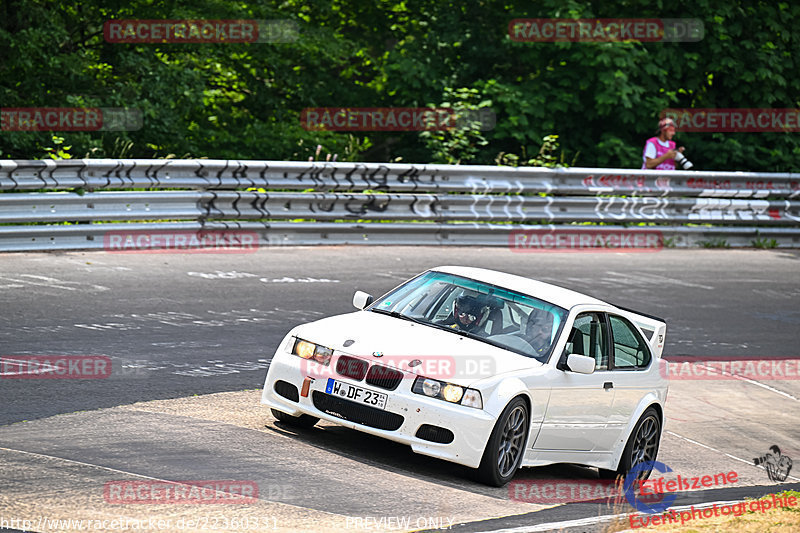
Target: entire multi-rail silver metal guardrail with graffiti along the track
333, 203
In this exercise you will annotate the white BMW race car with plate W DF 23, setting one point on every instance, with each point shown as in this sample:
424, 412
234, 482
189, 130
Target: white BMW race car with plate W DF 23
485, 369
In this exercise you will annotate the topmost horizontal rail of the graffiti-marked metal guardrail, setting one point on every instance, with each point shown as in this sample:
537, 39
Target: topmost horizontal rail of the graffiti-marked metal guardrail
207, 174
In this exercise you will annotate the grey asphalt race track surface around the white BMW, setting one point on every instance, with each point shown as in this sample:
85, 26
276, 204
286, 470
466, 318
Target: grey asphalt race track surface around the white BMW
179, 328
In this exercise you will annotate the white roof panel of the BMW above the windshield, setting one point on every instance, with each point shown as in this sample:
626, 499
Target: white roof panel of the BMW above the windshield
554, 294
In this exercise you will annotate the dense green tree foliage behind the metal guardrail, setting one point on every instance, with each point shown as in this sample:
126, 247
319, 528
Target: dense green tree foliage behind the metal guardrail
229, 100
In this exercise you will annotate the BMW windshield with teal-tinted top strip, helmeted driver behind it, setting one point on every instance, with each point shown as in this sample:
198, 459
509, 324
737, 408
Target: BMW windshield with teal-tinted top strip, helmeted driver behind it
497, 316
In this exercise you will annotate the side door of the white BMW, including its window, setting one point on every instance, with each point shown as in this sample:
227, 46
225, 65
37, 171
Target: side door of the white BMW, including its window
578, 412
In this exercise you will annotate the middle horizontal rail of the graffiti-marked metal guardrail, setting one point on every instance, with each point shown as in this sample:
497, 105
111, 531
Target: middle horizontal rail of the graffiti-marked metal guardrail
250, 205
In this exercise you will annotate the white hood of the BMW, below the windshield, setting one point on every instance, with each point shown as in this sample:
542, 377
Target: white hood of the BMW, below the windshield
441, 354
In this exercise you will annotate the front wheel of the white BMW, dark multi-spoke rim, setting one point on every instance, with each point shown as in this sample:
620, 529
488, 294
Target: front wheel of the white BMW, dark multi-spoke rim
506, 446
